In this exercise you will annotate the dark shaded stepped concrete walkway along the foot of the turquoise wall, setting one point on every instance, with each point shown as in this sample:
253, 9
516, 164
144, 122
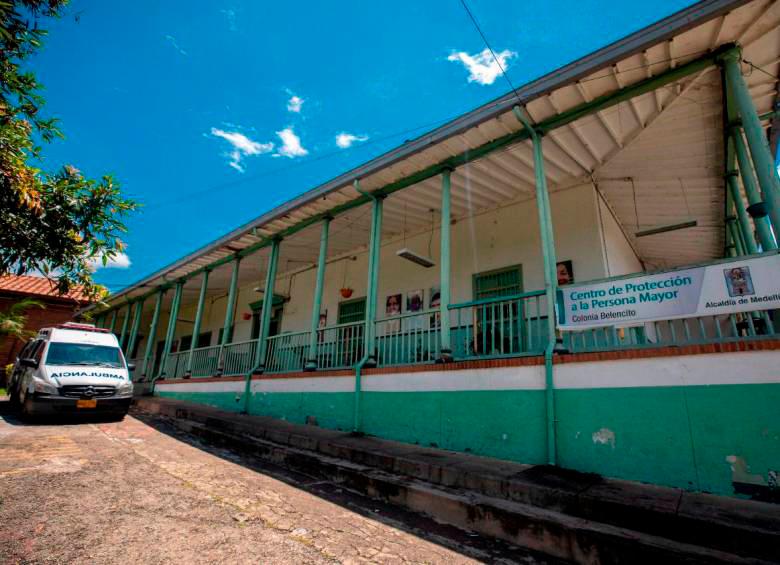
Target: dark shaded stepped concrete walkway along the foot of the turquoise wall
568, 515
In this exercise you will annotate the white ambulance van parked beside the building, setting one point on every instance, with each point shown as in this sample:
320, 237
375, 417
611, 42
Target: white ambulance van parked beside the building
72, 368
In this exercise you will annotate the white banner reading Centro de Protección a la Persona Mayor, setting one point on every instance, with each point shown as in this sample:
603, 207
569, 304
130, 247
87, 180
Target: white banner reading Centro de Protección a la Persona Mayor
742, 285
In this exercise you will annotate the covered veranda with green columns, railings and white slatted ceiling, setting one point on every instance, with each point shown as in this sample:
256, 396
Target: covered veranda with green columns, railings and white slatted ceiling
667, 128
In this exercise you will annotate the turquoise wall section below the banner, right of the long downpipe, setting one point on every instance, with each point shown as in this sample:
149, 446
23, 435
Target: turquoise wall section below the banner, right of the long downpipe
676, 436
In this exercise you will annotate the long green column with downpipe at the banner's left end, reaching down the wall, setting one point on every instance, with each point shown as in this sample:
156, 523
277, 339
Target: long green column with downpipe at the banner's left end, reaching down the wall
550, 277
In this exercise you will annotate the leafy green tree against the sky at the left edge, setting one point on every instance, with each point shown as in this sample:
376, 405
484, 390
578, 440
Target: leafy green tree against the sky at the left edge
55, 223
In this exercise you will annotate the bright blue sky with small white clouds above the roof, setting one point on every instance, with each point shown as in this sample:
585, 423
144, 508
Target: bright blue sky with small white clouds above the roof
211, 113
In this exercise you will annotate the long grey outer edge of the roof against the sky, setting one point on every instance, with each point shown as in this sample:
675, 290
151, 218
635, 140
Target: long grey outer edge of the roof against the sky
636, 42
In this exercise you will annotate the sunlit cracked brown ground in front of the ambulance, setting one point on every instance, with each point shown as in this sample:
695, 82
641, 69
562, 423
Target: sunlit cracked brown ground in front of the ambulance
137, 491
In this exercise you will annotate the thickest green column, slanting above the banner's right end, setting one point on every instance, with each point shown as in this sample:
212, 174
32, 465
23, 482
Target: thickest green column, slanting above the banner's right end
759, 148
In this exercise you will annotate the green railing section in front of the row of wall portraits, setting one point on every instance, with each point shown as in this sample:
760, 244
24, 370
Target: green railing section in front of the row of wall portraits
408, 339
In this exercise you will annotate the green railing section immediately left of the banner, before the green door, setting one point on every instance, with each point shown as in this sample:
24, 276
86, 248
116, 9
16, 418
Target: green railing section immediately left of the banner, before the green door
505, 326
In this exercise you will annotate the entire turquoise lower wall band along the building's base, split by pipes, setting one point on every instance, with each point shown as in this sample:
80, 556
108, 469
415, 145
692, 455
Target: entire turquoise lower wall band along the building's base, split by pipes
673, 436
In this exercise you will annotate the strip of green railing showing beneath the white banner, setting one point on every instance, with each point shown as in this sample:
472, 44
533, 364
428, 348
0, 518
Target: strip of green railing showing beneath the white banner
696, 330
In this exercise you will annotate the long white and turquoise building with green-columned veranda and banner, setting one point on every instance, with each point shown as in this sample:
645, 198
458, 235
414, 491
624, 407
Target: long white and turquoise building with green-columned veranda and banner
522, 282
